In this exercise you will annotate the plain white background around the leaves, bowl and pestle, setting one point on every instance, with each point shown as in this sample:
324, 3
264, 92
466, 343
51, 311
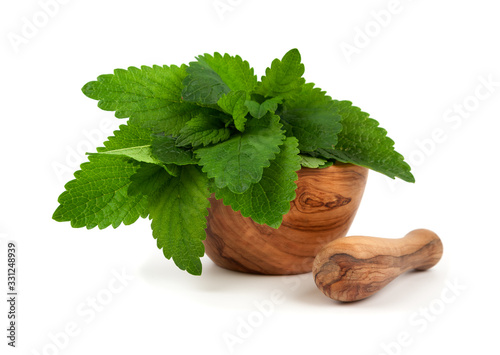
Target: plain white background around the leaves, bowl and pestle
427, 60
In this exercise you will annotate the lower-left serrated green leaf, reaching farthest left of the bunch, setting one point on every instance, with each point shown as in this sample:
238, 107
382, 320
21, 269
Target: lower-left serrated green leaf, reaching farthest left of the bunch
98, 195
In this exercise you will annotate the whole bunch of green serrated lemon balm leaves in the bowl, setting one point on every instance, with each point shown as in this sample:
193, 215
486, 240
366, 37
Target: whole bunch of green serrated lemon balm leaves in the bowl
213, 127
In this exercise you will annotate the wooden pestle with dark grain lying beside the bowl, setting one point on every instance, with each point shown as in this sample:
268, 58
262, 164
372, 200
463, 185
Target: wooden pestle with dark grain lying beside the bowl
353, 268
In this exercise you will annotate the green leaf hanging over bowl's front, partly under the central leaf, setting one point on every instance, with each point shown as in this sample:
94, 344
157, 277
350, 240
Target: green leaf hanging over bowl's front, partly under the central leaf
269, 199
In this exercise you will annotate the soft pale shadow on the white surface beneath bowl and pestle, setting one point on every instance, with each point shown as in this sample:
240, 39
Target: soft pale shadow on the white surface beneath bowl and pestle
224, 288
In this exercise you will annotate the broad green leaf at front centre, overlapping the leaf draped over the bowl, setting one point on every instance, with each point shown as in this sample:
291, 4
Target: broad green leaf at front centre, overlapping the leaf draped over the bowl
238, 162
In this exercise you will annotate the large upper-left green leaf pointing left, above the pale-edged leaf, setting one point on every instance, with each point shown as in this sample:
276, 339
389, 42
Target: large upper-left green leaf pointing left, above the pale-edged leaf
150, 96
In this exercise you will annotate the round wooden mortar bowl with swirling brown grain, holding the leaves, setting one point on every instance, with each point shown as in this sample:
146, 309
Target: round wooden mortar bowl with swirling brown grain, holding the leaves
323, 210
